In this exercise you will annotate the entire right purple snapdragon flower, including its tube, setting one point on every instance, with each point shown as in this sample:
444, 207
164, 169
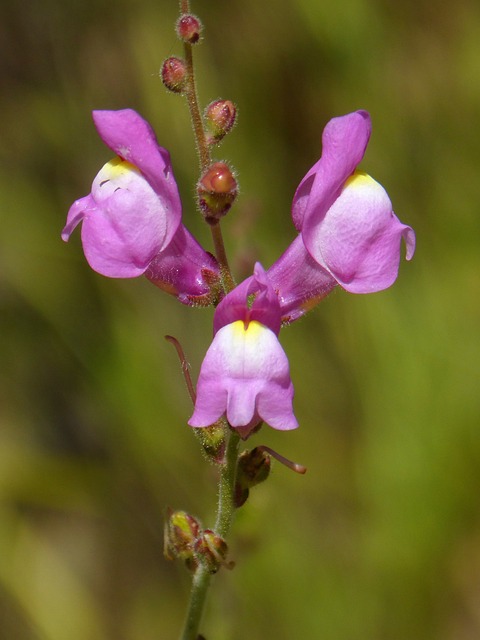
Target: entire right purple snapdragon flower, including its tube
349, 235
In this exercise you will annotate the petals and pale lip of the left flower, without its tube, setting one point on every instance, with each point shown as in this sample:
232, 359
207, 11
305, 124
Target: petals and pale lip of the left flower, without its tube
134, 209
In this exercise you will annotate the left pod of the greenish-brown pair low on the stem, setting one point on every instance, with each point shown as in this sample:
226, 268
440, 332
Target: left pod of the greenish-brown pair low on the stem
180, 536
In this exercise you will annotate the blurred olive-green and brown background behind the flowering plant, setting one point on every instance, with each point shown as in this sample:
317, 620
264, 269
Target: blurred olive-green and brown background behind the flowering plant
381, 539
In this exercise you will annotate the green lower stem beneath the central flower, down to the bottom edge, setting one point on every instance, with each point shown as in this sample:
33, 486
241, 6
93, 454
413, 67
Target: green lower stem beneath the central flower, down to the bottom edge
225, 513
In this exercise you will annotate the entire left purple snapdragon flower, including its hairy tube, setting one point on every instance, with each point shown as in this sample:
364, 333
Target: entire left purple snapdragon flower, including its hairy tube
131, 220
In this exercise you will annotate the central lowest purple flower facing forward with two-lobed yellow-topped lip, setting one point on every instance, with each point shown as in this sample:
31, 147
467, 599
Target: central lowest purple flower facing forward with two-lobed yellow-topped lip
245, 373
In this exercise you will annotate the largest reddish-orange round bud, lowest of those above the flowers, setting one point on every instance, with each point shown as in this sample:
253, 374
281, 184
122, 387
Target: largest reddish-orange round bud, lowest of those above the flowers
216, 189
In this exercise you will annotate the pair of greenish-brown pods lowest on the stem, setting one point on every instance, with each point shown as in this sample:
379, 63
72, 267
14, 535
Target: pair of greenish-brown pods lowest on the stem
184, 539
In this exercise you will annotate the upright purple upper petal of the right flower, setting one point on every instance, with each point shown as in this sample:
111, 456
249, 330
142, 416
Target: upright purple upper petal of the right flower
344, 142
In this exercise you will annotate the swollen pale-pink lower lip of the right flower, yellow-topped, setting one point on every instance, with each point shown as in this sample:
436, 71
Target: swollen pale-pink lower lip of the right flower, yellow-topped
358, 239
